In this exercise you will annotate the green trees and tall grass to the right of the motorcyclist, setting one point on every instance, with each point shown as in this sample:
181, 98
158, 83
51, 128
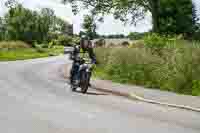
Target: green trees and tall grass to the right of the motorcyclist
166, 57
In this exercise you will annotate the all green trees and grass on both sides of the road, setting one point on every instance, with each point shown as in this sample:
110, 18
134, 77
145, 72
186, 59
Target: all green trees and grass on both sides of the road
166, 57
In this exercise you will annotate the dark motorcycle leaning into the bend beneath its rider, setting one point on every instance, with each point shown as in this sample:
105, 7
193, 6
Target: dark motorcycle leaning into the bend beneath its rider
82, 80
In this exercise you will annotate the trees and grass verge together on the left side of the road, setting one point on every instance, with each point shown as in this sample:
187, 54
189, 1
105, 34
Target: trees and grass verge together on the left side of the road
28, 34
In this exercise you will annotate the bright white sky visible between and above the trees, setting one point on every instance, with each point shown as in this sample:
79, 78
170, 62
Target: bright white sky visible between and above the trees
110, 25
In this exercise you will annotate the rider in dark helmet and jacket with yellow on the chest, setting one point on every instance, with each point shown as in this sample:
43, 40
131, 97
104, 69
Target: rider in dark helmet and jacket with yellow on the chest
82, 51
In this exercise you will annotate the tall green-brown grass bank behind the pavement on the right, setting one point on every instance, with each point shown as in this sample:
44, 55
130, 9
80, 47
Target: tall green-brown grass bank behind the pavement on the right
176, 69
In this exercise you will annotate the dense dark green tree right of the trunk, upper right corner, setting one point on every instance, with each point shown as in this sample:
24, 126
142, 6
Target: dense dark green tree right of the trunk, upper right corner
176, 16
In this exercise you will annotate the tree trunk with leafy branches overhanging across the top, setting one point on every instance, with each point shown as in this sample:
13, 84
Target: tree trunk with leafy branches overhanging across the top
123, 9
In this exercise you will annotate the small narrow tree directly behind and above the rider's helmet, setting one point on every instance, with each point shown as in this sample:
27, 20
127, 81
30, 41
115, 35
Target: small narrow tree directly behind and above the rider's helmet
89, 25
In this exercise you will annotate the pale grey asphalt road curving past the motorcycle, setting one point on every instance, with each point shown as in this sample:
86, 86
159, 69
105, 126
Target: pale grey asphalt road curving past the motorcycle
34, 98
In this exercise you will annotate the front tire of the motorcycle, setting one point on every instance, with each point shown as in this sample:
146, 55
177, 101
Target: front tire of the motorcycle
84, 83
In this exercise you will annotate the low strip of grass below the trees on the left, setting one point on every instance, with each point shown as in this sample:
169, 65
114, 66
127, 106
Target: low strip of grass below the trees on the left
11, 51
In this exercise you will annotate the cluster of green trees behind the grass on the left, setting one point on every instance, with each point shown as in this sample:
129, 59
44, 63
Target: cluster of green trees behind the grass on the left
20, 23
